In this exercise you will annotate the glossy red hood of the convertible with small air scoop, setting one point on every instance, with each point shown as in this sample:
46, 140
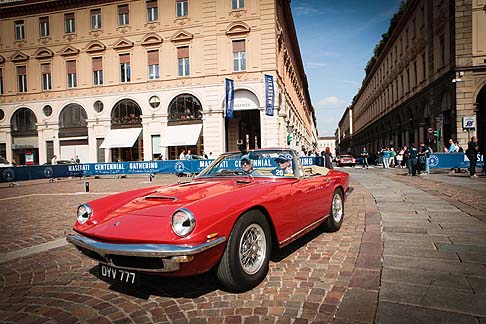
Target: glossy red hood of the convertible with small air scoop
147, 216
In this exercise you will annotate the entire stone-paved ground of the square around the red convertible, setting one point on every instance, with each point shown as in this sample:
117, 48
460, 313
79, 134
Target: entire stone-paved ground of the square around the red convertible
407, 252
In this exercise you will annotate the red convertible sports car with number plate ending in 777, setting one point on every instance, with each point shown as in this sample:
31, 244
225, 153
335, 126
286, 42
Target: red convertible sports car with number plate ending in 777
229, 218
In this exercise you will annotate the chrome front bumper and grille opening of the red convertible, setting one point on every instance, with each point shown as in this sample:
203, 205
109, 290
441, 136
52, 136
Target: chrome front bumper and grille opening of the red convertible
140, 257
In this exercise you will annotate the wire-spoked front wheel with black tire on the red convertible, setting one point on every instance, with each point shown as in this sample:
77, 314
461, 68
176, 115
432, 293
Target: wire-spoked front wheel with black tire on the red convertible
244, 263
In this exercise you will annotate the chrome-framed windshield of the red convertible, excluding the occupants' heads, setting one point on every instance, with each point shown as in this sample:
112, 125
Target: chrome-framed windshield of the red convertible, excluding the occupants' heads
263, 161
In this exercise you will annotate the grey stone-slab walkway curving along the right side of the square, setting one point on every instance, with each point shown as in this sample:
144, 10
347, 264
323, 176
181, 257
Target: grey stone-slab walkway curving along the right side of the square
434, 256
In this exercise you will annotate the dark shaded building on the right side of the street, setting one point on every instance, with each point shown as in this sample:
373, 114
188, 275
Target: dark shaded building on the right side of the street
430, 76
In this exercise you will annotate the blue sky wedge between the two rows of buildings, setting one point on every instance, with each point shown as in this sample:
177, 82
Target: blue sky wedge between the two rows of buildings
336, 39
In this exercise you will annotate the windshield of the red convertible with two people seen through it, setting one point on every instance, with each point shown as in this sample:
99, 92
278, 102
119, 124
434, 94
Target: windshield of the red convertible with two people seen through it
256, 163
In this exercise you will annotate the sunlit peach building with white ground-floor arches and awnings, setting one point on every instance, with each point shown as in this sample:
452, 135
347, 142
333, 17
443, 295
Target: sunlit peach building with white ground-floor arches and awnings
136, 79
